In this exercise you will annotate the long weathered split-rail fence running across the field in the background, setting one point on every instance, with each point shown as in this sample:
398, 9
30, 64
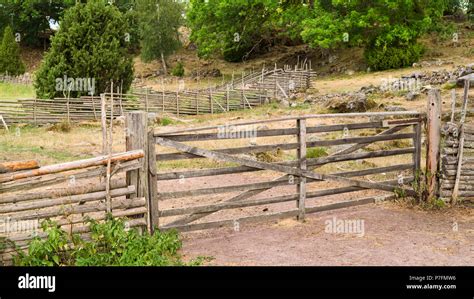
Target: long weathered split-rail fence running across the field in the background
252, 91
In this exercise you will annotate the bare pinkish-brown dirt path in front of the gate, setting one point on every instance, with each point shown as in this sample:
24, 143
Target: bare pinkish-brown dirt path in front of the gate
393, 236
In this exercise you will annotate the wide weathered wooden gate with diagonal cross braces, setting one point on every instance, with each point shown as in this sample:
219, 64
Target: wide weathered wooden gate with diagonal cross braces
187, 199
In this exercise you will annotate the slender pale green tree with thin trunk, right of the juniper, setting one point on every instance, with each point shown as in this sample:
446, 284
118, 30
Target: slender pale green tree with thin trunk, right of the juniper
158, 22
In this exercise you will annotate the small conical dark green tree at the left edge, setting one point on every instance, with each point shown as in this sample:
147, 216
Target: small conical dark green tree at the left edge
10, 60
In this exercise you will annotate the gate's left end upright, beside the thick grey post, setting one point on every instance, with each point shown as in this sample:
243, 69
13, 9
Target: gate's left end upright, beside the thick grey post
152, 183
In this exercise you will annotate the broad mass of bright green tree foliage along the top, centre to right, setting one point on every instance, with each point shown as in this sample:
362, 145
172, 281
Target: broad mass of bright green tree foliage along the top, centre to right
383, 27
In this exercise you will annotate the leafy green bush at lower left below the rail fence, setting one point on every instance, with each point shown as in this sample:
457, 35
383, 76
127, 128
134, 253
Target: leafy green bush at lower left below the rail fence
111, 244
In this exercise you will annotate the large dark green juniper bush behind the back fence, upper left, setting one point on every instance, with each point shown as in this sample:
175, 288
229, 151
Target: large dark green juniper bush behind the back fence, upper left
90, 45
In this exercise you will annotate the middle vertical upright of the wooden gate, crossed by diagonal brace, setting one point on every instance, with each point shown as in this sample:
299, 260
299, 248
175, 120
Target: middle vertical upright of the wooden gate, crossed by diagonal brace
301, 153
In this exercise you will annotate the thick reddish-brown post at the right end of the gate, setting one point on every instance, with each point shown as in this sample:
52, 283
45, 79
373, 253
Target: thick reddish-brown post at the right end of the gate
433, 143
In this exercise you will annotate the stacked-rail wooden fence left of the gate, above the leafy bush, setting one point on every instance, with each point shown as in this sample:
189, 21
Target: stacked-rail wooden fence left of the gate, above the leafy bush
76, 192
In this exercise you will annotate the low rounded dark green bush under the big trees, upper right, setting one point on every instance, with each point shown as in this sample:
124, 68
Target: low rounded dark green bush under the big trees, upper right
379, 58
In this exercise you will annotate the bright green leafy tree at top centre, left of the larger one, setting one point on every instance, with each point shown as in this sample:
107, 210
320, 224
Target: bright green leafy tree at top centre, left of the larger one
233, 29
